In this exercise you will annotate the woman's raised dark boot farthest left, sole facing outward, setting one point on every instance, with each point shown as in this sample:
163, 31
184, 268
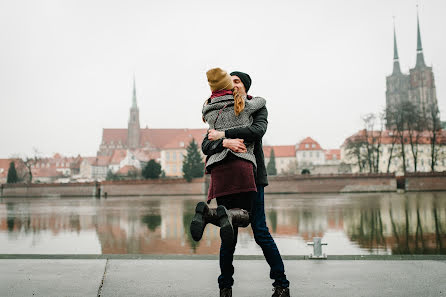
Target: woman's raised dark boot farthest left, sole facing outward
203, 216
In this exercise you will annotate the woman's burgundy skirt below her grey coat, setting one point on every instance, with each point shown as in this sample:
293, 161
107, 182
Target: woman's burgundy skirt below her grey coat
230, 177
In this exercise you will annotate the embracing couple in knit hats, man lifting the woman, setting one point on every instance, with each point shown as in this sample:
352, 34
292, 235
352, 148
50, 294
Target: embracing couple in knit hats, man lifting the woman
233, 146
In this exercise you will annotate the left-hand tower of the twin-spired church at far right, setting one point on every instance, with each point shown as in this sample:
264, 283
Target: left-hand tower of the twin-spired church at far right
397, 84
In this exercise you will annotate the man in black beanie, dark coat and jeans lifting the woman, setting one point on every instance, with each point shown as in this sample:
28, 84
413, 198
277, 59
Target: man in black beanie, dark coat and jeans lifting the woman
233, 139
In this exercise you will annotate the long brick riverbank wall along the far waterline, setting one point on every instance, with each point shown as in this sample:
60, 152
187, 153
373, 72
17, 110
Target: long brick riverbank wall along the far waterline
297, 184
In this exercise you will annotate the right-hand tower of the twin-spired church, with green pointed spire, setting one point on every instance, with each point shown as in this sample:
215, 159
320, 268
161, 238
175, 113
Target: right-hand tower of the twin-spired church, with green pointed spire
422, 90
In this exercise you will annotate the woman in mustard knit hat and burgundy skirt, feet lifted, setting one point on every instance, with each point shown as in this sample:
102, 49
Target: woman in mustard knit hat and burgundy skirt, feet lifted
232, 174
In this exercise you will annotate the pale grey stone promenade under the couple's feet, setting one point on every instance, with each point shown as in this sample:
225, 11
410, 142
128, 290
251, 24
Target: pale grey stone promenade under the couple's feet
108, 276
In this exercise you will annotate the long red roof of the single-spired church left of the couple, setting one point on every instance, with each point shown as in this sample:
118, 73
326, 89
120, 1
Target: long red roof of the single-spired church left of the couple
157, 138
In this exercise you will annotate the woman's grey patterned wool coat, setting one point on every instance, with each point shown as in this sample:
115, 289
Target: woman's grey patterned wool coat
219, 114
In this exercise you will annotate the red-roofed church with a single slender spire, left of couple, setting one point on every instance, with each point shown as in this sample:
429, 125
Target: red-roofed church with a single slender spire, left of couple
167, 146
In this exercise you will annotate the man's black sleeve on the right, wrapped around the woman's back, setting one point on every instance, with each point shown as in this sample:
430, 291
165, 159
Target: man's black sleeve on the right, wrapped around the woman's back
253, 132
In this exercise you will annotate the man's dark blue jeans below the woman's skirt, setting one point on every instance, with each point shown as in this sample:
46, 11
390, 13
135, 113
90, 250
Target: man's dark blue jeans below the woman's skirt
262, 237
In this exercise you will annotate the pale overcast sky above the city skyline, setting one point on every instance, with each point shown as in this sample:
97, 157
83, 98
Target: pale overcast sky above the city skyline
66, 67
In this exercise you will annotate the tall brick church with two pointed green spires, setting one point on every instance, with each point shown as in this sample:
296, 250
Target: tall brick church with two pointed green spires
417, 87
